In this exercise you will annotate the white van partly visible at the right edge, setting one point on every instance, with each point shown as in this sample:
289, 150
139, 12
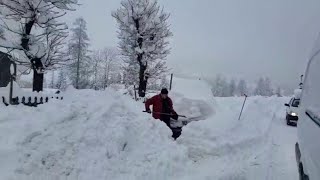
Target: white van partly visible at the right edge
308, 145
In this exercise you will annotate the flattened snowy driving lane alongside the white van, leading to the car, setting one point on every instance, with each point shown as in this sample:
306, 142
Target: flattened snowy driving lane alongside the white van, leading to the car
276, 160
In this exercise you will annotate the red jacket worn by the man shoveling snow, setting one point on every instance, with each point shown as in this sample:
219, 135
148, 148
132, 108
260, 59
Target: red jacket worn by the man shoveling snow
156, 102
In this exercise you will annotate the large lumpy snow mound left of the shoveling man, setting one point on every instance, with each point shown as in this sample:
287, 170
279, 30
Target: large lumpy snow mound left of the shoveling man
89, 135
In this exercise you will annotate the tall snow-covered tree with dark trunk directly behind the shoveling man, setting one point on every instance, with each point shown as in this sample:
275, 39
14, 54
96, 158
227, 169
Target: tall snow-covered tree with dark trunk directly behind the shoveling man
143, 33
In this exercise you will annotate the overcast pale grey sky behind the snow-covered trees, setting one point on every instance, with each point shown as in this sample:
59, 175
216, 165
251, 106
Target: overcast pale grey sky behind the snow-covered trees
237, 38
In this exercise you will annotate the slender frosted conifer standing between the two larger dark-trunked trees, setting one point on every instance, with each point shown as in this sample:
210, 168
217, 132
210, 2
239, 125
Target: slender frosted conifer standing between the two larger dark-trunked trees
78, 48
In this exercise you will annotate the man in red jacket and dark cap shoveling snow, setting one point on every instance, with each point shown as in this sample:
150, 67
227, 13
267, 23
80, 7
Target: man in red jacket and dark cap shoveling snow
163, 110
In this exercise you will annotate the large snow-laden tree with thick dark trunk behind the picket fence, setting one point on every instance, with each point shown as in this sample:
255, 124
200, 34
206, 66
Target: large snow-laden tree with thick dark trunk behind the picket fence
37, 32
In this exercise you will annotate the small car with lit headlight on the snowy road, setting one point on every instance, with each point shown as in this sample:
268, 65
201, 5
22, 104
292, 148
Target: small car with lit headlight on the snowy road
292, 111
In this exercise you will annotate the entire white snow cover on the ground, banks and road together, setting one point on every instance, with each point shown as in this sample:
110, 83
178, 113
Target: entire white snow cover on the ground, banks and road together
105, 135
